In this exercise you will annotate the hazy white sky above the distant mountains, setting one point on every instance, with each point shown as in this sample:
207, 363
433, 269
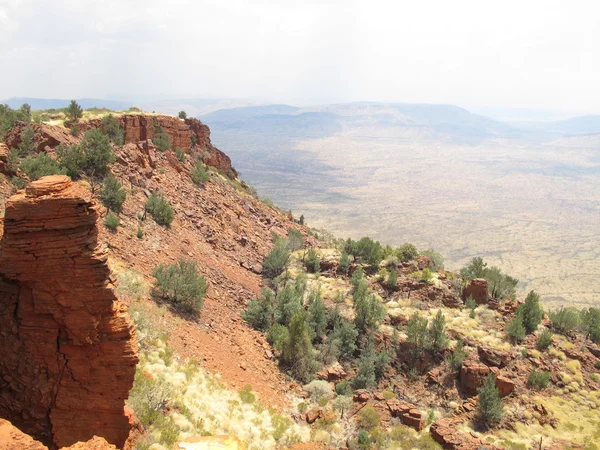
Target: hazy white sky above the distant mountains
526, 53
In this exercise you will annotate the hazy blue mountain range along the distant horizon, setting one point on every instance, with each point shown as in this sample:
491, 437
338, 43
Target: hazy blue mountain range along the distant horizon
418, 121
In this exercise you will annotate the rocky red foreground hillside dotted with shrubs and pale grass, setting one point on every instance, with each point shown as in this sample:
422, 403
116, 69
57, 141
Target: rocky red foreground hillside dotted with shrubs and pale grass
350, 344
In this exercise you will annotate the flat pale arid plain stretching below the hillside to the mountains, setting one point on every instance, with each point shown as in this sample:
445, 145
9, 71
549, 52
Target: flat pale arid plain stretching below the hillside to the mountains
532, 209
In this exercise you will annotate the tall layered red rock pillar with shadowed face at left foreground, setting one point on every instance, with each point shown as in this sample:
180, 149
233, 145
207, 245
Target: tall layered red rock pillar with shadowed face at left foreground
68, 346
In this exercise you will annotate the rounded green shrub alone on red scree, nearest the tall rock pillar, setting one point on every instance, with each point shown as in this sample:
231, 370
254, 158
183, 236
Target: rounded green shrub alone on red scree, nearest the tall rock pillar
180, 284
